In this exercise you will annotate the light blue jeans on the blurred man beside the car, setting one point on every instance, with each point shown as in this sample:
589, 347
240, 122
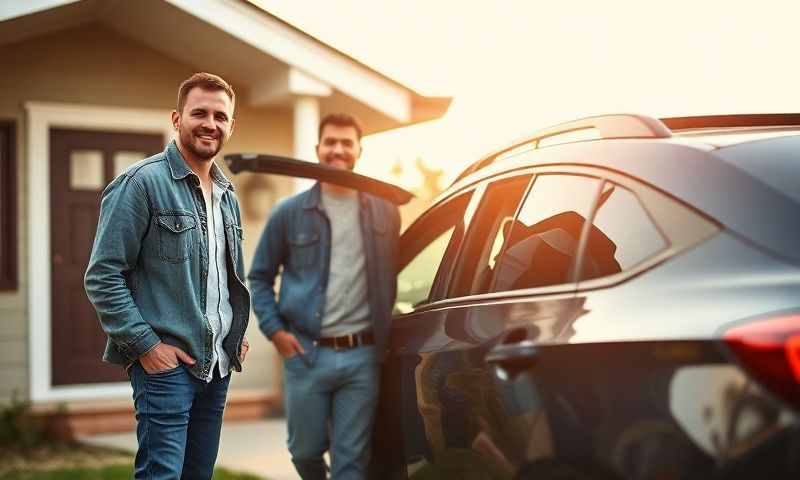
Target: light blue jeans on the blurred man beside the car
331, 405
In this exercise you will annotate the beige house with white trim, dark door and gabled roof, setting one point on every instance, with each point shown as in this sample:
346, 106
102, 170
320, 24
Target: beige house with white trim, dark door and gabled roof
87, 89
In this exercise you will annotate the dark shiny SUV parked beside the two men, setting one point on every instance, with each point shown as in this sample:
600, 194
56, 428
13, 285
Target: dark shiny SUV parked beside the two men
616, 297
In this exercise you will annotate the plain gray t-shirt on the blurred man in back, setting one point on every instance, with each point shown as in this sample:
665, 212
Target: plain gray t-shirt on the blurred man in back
346, 307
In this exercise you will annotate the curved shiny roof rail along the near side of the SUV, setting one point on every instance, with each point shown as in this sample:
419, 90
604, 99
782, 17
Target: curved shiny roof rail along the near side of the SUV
619, 125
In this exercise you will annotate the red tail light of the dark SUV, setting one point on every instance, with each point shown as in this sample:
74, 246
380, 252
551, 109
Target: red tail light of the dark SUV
770, 350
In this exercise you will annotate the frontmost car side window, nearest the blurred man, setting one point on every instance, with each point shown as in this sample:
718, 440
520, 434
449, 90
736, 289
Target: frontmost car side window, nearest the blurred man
426, 248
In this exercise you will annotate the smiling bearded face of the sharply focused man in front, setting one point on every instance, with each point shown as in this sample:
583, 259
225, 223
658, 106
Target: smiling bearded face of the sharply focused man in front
205, 123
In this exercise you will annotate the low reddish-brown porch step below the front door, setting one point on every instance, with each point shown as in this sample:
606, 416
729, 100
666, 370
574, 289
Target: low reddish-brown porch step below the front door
68, 421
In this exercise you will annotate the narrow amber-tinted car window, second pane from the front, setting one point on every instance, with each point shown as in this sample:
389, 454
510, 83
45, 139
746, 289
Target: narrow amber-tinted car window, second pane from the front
487, 235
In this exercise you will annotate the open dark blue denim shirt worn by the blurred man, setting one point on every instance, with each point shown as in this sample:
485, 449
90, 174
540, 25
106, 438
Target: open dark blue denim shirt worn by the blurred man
298, 238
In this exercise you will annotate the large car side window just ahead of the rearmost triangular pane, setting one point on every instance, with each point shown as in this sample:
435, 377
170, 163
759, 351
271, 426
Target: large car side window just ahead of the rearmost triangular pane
541, 244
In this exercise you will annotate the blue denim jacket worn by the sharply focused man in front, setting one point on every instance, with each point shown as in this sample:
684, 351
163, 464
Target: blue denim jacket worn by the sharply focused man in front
149, 265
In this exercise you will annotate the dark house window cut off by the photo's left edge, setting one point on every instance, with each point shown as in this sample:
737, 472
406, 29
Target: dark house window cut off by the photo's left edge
8, 207
